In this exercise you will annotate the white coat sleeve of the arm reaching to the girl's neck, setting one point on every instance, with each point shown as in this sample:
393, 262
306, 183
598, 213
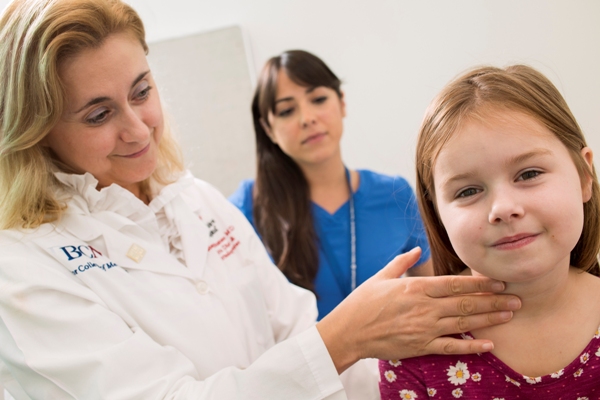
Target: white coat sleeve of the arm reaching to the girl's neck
60, 341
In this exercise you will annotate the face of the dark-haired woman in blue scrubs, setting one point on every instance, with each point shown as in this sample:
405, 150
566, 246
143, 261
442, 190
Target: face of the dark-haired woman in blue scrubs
307, 123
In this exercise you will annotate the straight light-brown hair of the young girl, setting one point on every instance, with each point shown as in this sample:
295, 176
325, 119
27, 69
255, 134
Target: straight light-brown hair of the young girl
473, 95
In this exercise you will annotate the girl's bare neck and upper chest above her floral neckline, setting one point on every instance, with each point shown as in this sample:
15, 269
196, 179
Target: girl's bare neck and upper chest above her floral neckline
559, 315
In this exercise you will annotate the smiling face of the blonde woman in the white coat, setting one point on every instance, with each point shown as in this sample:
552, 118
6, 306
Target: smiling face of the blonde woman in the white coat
112, 120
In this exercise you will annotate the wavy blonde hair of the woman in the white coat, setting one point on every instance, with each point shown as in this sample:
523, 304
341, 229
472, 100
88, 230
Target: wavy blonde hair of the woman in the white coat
35, 37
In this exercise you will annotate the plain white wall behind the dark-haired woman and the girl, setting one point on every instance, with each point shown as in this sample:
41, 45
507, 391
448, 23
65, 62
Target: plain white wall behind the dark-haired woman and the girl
395, 55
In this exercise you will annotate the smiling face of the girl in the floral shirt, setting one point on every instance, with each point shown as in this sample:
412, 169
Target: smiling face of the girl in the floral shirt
510, 197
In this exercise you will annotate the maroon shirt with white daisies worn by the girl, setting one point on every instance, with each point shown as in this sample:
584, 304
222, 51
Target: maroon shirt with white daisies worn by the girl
483, 376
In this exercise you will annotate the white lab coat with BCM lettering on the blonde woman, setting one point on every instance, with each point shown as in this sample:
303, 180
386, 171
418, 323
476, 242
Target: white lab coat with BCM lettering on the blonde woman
175, 300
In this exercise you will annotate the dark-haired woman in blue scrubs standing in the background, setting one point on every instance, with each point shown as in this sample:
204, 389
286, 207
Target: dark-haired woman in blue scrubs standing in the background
327, 227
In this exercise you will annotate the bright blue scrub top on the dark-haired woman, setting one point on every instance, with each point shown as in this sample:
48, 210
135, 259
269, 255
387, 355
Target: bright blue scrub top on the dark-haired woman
388, 223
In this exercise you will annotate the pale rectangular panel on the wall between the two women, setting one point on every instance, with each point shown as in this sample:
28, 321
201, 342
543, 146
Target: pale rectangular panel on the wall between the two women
205, 84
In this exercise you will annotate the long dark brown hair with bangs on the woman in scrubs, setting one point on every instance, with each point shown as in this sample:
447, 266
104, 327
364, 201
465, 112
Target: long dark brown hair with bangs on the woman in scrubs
282, 208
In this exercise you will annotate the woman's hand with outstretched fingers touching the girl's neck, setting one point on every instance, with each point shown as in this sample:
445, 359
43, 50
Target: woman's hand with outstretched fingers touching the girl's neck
391, 318
